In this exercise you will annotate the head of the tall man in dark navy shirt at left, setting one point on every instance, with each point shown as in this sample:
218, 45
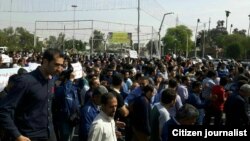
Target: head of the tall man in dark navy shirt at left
52, 62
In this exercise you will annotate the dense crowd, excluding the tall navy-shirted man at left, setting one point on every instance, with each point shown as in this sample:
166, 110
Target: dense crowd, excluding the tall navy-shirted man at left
150, 95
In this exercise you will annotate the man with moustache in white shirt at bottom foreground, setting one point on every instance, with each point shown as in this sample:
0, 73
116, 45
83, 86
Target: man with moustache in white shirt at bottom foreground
103, 126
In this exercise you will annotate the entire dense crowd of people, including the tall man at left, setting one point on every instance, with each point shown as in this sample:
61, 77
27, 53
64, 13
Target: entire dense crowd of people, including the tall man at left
119, 98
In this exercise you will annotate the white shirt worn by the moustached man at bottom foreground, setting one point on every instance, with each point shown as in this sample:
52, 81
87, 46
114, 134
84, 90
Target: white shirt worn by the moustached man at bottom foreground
102, 128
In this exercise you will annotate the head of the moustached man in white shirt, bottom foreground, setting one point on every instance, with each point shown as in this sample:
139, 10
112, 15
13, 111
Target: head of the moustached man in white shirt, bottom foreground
109, 104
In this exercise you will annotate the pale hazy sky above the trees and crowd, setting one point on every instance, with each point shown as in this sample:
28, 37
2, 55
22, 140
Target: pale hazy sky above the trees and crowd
26, 12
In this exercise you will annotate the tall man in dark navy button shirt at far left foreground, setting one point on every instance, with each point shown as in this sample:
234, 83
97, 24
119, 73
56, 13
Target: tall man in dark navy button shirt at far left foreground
25, 113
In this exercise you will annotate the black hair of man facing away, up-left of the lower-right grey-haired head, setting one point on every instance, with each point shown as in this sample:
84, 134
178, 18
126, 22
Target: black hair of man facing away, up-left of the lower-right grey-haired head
168, 95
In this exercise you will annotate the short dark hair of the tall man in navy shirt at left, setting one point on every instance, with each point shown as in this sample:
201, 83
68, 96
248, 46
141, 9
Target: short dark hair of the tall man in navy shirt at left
51, 53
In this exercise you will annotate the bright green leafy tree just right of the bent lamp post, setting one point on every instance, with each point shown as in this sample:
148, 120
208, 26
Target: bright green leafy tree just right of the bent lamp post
178, 37
